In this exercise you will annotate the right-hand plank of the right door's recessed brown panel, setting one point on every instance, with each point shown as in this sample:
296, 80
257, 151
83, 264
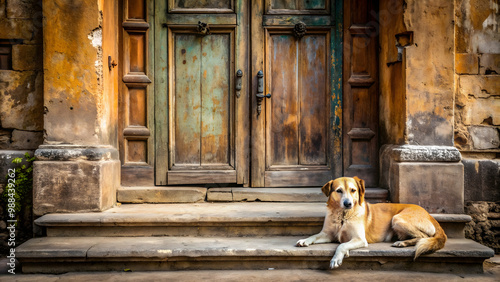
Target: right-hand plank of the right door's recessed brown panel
313, 100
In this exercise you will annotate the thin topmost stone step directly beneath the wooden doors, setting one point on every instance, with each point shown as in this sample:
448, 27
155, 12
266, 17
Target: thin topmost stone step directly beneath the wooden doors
159, 194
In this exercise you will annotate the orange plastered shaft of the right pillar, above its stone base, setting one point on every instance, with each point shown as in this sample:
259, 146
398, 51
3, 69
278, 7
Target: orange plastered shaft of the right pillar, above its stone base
417, 89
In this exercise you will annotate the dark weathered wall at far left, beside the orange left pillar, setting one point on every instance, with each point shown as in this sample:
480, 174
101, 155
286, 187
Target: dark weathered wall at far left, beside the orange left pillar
21, 87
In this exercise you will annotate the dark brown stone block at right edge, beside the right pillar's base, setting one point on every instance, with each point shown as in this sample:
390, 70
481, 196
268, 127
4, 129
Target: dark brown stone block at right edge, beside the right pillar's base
481, 179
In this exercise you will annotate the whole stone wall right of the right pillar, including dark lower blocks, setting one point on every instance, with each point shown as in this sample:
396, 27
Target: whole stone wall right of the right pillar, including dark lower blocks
477, 114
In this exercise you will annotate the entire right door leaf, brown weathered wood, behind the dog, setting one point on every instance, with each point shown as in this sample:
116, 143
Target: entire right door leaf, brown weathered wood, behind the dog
295, 138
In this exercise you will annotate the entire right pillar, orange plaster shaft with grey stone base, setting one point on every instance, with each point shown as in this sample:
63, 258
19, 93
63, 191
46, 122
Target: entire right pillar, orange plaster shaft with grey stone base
420, 165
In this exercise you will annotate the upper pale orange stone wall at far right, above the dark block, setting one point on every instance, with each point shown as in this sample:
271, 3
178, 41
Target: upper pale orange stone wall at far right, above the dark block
477, 75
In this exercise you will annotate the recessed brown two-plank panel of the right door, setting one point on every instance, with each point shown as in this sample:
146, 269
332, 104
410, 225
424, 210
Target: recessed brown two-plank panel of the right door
297, 116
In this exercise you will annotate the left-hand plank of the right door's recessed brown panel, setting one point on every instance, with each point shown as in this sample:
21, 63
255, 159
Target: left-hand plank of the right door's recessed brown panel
283, 117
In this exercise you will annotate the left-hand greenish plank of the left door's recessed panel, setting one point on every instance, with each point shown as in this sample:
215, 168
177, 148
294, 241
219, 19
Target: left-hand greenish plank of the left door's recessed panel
187, 54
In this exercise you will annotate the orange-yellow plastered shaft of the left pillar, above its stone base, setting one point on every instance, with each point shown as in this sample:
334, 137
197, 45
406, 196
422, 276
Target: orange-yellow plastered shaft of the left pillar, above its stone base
77, 110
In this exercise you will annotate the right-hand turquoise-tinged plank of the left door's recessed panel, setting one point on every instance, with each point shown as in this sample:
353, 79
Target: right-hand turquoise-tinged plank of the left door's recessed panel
215, 112
